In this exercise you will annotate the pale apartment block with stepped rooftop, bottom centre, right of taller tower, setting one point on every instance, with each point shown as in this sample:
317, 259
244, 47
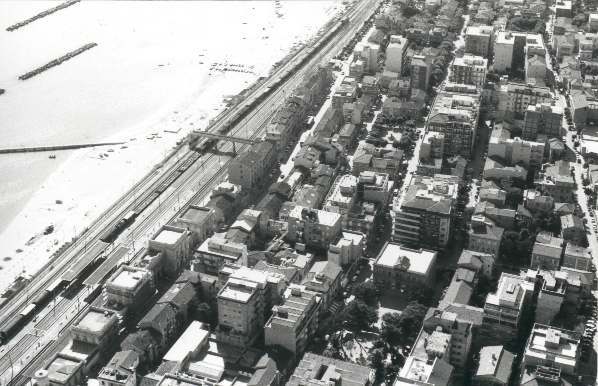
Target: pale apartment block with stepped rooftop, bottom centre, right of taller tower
295, 321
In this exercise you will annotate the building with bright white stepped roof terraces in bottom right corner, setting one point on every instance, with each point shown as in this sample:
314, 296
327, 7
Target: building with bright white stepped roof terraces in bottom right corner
553, 347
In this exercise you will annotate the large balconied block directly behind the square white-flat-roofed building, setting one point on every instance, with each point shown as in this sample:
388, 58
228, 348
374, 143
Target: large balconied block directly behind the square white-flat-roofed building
424, 216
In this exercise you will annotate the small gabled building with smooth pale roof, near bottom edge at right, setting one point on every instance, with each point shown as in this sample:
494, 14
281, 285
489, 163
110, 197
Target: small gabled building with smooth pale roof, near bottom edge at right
495, 367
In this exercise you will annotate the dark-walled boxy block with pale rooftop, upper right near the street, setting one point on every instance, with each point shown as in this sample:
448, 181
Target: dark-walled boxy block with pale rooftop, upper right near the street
543, 119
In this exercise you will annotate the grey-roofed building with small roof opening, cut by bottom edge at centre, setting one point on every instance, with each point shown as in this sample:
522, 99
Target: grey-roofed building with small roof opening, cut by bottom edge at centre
316, 369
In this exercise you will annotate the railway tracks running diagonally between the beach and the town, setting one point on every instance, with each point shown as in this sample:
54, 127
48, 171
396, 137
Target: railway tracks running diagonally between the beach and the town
197, 174
